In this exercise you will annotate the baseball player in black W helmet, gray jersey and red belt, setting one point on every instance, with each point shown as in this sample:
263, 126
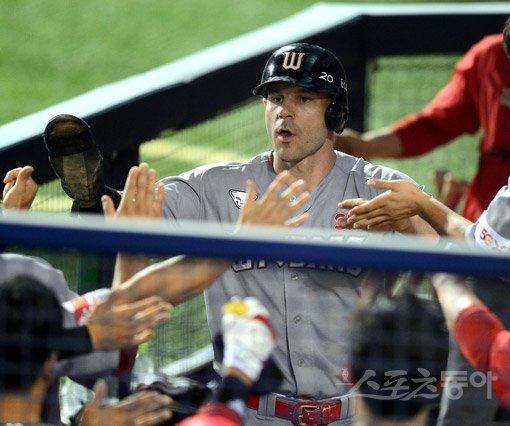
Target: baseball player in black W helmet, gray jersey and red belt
304, 93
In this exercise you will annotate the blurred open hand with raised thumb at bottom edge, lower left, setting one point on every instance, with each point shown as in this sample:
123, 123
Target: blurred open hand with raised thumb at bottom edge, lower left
141, 409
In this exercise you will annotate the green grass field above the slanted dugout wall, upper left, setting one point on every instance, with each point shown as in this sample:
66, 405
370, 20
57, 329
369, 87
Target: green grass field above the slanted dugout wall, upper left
53, 50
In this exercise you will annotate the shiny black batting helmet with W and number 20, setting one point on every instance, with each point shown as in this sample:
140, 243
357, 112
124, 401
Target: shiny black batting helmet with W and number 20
313, 68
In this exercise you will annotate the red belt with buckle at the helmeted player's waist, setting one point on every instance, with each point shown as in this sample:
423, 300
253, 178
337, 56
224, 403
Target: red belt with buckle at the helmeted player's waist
302, 413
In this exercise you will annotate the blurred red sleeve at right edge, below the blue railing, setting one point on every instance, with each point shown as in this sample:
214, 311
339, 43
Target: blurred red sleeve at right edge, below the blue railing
485, 343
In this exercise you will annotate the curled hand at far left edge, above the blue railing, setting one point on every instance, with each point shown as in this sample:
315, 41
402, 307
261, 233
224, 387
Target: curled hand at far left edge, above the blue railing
20, 189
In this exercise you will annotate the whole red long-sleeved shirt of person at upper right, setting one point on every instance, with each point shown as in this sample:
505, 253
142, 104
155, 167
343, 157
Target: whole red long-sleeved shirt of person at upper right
477, 97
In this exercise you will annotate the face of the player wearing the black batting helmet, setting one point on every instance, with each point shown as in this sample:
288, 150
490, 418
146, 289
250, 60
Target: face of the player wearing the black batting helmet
295, 121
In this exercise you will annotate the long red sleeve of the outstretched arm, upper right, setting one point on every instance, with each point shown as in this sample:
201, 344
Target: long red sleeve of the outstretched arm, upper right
452, 112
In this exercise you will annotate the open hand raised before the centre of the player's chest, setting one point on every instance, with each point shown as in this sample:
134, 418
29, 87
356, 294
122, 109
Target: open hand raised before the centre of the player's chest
284, 197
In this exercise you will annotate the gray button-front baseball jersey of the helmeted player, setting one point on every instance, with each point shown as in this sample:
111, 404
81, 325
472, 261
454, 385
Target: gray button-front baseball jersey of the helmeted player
309, 304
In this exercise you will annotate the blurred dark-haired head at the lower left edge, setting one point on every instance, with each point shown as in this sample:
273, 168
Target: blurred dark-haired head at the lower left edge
30, 330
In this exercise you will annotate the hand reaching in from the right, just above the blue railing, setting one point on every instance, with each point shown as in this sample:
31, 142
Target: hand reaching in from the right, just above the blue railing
388, 211
